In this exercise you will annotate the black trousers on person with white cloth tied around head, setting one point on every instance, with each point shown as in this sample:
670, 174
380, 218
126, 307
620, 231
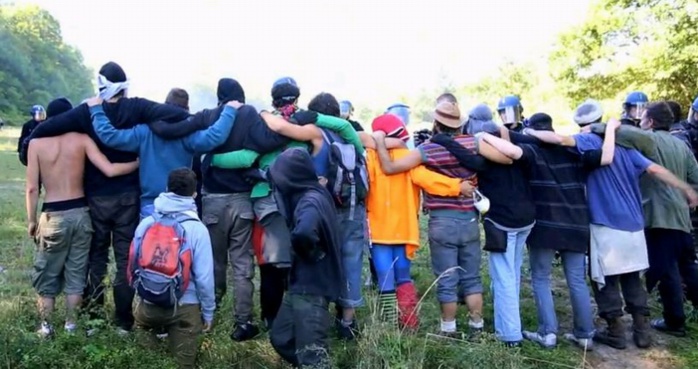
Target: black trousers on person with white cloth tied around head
114, 219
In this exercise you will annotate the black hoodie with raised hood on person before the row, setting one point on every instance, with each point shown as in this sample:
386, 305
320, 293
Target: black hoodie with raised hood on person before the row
316, 268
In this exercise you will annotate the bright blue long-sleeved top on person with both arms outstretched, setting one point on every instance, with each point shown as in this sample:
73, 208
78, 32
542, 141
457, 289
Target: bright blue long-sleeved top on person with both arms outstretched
157, 155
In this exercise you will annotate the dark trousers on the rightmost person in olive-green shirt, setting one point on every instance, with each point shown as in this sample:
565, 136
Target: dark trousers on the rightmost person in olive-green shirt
672, 259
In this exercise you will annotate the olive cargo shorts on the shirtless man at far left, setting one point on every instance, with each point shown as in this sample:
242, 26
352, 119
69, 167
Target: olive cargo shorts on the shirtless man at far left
63, 247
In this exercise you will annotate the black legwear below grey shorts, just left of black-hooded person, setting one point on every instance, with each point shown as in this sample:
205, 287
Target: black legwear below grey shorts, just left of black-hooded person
274, 282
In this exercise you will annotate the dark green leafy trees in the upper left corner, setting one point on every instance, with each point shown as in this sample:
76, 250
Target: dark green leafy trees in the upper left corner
36, 66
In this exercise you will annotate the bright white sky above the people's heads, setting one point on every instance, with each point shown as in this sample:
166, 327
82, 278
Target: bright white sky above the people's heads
368, 51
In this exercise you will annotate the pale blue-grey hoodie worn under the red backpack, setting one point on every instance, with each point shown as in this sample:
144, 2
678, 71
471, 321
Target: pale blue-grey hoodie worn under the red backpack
201, 287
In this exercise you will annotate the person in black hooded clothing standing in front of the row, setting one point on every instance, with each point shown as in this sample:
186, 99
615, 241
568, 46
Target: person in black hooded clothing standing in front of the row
300, 330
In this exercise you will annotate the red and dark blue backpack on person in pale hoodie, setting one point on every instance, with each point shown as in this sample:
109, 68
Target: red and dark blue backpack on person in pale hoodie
160, 261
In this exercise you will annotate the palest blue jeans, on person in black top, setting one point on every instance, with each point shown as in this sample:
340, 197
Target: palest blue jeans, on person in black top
505, 270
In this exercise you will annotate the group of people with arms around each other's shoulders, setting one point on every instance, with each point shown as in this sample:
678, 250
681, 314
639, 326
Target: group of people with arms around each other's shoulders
306, 192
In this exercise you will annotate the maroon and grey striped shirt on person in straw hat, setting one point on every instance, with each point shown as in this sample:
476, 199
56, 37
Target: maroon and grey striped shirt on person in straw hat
436, 158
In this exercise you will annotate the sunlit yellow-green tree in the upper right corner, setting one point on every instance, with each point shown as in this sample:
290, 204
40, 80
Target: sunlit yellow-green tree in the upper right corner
625, 45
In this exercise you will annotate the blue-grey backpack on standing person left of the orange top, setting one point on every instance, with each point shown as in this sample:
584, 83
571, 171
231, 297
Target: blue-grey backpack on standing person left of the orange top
347, 177
